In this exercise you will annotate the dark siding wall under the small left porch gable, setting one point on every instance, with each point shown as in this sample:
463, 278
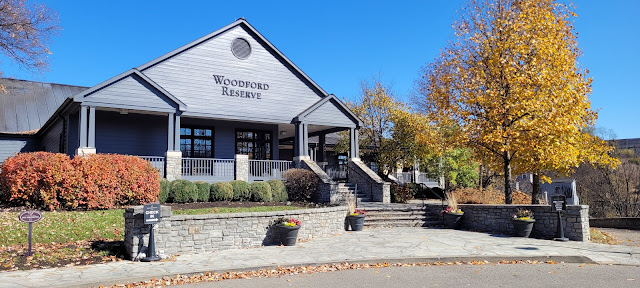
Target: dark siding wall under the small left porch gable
132, 134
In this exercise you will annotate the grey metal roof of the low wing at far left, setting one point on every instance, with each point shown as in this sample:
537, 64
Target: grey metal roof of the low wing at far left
28, 105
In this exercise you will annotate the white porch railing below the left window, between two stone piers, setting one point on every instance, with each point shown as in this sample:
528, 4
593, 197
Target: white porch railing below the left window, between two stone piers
208, 169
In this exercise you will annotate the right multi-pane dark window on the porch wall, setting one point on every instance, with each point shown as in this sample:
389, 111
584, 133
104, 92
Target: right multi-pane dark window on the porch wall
254, 143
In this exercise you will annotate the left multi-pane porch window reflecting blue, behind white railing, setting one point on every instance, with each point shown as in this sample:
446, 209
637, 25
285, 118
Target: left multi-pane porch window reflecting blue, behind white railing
196, 142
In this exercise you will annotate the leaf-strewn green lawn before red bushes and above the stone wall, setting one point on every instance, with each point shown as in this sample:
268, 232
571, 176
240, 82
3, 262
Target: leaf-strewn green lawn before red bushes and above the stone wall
71, 238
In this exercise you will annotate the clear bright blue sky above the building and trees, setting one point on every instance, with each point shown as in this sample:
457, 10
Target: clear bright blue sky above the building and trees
337, 43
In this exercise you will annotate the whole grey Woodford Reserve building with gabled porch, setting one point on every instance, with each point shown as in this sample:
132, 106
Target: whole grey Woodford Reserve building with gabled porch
216, 109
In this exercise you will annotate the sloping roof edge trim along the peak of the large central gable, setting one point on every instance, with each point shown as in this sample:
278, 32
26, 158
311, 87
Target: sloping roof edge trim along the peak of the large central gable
239, 22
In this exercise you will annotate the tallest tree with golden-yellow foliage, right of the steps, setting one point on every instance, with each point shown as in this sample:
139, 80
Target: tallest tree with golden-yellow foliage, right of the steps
510, 81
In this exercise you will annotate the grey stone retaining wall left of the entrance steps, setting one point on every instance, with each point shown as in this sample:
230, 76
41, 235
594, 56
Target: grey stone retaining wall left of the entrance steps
210, 232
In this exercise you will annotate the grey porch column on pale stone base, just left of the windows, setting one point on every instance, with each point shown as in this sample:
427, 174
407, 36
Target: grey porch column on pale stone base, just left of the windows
173, 157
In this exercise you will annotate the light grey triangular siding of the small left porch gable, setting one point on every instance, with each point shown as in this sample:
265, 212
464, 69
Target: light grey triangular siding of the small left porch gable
132, 93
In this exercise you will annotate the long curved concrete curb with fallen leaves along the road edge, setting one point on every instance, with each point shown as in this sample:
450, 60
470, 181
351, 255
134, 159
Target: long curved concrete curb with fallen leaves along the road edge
565, 259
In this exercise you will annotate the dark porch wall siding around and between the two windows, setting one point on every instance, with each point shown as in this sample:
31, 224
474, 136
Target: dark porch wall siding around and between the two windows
225, 134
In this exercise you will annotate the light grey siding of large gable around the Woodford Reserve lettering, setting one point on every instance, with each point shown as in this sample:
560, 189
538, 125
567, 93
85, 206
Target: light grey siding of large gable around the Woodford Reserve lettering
189, 77
